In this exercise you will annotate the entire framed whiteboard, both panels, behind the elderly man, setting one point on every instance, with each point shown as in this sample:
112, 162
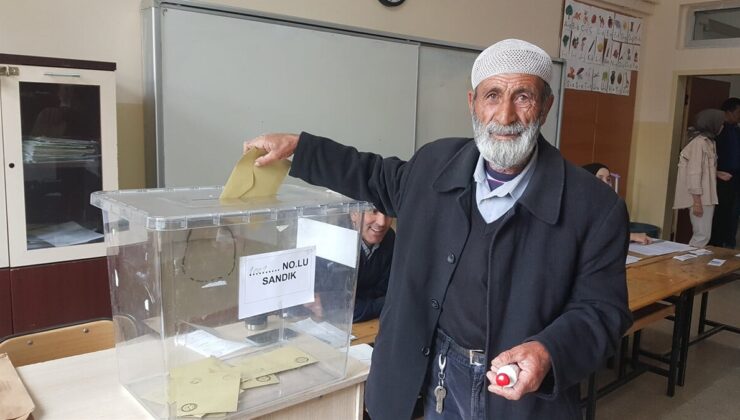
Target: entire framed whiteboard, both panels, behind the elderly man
217, 78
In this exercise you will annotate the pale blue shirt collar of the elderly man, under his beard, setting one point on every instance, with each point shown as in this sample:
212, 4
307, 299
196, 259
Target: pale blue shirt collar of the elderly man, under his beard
494, 204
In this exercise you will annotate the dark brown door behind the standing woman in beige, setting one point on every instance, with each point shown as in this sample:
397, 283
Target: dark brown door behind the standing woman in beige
701, 94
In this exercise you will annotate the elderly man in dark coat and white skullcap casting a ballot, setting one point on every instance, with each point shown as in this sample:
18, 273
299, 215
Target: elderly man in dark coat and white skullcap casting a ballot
506, 254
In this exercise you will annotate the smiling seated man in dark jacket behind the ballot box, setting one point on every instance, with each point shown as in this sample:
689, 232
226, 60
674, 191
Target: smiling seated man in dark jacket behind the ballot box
375, 263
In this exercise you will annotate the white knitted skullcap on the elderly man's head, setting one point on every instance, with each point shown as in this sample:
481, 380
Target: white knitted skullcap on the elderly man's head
511, 56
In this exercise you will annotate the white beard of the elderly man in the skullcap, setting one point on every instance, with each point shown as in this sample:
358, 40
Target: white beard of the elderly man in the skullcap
505, 154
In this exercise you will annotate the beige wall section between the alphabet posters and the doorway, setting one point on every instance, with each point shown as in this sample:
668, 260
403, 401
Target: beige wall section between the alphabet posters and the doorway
664, 61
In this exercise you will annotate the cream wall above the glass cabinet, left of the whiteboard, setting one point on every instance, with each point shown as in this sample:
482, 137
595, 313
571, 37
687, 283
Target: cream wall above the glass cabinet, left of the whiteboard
99, 30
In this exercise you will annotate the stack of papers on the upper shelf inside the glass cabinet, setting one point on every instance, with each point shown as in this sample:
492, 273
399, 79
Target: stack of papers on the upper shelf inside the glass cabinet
50, 149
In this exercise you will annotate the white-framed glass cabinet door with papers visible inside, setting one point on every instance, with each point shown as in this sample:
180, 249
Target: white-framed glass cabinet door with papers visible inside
59, 139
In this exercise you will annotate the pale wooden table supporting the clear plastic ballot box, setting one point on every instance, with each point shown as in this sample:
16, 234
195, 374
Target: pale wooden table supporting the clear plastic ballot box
86, 387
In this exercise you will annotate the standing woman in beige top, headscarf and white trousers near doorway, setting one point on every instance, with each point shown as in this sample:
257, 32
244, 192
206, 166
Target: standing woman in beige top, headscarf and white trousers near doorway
696, 184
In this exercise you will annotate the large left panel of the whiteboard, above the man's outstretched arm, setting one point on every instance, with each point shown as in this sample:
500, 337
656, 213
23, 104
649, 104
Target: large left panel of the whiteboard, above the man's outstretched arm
226, 78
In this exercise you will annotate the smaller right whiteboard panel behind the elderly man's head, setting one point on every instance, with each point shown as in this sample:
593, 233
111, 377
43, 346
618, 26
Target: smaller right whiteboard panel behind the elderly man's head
444, 82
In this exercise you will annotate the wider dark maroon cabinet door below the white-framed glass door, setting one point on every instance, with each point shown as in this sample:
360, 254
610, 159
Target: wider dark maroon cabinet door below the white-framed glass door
53, 294
